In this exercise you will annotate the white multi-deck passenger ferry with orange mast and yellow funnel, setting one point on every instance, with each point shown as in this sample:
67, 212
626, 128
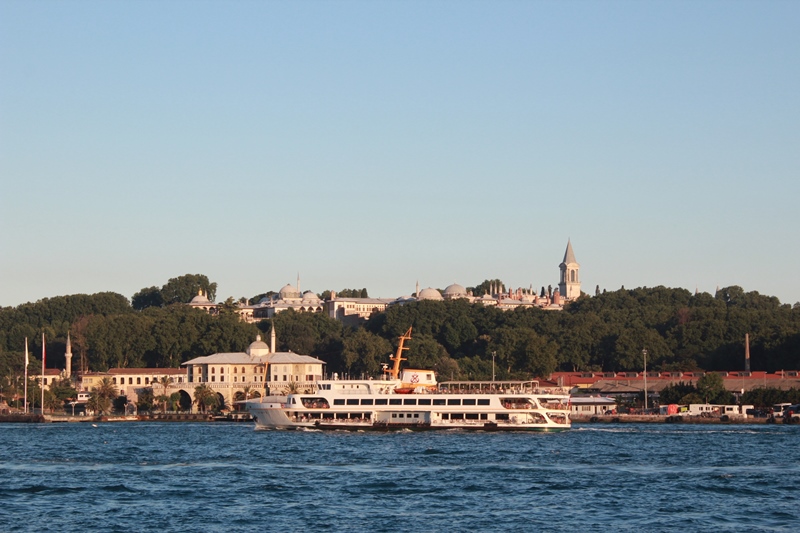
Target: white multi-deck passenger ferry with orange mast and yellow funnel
412, 399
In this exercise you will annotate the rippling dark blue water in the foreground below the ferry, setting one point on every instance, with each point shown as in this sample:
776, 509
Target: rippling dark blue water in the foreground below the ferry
228, 477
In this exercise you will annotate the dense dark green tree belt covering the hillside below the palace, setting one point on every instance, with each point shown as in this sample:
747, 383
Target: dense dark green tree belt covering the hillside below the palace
607, 332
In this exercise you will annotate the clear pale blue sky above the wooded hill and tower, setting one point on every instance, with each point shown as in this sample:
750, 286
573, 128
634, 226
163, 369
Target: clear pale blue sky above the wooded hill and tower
381, 144
